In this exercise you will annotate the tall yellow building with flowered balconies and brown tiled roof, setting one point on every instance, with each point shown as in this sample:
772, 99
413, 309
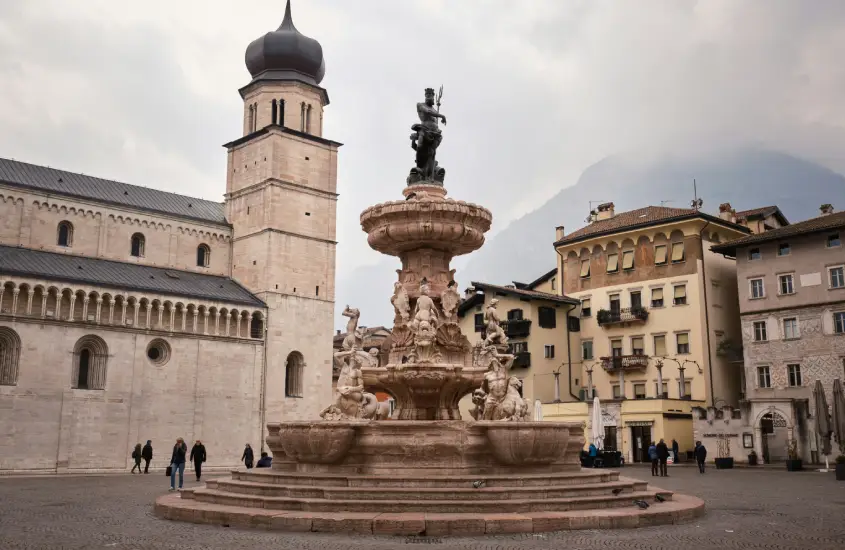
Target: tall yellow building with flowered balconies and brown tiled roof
655, 305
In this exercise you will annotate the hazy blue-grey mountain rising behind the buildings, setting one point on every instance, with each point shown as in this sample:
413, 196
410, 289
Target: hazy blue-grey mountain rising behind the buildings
745, 178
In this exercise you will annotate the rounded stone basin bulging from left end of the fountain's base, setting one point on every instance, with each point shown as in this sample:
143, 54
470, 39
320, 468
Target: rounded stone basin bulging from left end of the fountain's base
314, 442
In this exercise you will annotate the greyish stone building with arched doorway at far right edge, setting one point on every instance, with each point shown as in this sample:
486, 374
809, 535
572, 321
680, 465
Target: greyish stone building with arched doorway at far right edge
791, 284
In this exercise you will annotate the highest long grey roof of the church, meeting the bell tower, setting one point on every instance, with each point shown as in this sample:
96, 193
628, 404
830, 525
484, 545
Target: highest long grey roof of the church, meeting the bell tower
43, 178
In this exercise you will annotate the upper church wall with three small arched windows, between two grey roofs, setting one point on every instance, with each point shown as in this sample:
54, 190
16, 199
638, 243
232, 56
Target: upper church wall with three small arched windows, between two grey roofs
31, 219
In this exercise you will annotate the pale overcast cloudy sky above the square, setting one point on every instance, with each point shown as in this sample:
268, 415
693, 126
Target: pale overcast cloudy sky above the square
535, 90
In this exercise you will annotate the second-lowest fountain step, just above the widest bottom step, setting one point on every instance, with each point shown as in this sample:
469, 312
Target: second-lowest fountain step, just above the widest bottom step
212, 496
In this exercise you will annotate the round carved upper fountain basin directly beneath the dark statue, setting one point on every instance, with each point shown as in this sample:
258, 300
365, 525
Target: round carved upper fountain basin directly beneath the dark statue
431, 222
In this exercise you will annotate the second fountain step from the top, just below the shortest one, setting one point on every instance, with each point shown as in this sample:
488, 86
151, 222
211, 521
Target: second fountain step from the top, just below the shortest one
425, 493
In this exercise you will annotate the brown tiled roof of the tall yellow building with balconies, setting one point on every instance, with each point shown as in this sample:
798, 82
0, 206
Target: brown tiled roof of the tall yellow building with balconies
641, 217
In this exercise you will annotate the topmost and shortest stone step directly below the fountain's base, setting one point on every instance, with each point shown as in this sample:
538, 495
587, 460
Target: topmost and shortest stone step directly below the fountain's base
369, 481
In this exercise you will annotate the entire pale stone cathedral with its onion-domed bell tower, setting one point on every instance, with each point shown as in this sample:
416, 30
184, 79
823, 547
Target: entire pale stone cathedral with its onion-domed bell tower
129, 314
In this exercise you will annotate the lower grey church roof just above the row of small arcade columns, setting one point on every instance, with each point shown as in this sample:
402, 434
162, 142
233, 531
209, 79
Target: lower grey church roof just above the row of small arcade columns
121, 275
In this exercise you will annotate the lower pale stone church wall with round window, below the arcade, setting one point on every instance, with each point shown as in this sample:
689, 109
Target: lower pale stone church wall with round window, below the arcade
209, 389
